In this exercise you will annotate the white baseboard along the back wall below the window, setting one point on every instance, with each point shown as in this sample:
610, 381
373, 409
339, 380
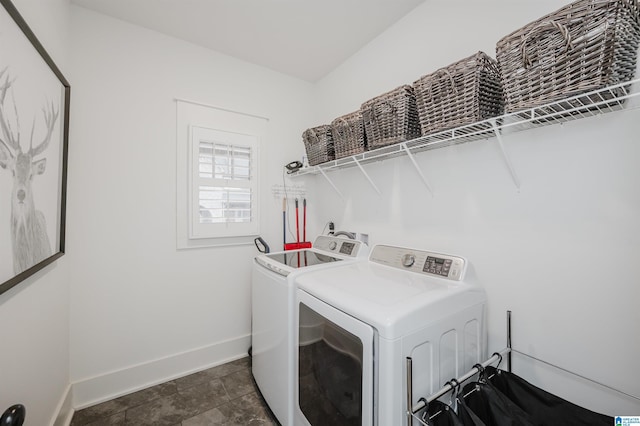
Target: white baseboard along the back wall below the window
112, 385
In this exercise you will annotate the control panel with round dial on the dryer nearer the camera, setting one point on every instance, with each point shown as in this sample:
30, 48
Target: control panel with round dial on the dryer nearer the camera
420, 261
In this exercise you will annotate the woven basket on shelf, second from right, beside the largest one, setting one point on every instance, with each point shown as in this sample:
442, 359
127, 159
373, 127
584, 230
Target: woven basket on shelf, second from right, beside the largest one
464, 92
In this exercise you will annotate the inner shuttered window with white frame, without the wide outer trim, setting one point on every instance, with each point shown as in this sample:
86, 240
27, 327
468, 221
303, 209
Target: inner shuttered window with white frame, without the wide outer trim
224, 187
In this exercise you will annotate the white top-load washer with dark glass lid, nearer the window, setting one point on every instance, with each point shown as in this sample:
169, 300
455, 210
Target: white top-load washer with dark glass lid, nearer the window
273, 314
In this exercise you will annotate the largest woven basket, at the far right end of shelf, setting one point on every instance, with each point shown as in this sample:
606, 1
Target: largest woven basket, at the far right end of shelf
585, 46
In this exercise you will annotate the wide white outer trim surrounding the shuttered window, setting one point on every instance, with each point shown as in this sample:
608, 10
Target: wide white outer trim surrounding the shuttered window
194, 114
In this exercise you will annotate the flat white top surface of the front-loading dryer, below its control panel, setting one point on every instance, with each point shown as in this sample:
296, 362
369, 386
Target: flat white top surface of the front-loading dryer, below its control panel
393, 301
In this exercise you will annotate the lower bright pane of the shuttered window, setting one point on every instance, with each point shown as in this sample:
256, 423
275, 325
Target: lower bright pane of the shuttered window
224, 204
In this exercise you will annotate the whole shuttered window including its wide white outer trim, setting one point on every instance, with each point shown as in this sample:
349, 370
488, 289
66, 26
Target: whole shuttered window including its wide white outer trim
218, 175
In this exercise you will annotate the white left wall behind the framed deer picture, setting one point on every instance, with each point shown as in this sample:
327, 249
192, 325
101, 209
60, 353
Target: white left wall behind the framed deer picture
34, 316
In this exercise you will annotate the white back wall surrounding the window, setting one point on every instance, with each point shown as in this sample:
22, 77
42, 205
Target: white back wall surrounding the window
142, 311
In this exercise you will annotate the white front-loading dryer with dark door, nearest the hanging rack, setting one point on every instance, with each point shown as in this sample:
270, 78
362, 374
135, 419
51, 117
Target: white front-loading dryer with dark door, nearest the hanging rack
358, 323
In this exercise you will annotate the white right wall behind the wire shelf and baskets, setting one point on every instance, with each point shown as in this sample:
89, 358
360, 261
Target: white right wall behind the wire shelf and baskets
559, 251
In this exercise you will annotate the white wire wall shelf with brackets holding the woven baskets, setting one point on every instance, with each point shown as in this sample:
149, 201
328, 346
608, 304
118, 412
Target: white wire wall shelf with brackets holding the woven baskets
613, 98
